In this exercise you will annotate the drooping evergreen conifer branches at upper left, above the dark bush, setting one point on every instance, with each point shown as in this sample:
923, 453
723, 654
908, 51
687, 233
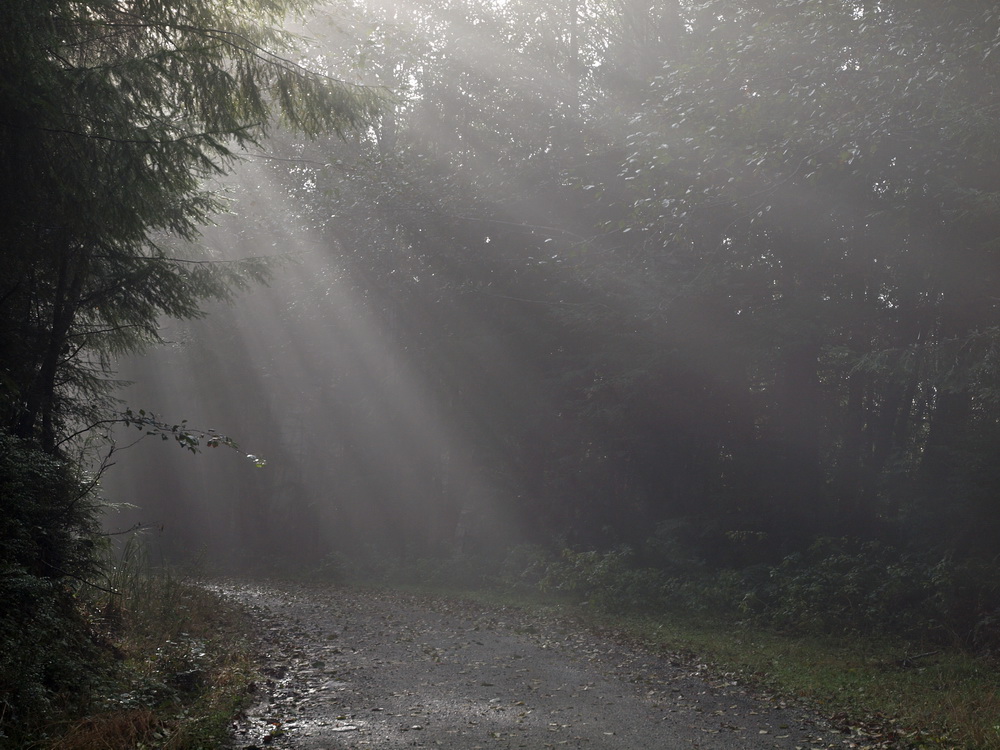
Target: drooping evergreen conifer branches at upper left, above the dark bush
114, 115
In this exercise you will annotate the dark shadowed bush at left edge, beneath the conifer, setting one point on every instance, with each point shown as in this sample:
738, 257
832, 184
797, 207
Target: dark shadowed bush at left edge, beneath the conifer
47, 522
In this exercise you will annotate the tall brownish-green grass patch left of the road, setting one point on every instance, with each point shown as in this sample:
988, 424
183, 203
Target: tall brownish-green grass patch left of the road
181, 664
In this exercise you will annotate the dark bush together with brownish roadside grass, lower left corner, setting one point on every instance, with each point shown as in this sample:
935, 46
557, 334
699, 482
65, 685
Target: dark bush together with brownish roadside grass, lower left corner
97, 650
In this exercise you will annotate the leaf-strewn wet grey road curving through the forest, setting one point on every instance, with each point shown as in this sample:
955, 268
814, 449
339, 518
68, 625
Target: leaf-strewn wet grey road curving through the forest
381, 670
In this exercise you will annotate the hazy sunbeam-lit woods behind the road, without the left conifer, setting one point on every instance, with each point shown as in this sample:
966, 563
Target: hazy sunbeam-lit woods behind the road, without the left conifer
667, 276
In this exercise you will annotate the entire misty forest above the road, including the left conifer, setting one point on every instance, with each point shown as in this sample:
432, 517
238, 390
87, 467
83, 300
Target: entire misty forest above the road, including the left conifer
677, 303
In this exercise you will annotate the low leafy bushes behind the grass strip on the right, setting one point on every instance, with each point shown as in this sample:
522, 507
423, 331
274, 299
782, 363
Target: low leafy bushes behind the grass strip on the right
837, 586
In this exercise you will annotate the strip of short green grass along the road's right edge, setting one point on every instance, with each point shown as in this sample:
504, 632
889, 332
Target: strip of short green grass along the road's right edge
895, 693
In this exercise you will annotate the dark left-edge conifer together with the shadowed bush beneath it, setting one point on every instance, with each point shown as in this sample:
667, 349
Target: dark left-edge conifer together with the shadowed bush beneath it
114, 114
